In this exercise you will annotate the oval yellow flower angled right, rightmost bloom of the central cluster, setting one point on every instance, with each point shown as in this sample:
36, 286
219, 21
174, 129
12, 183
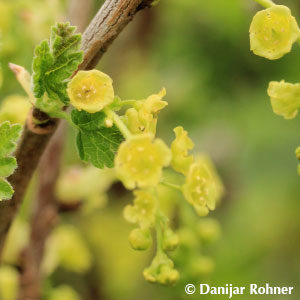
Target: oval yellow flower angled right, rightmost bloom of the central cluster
202, 188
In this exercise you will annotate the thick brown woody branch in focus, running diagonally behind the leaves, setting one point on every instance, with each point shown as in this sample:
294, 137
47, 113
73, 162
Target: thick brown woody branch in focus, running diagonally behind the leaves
112, 17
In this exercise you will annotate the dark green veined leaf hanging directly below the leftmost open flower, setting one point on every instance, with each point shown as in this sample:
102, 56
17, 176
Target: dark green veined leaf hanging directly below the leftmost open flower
95, 142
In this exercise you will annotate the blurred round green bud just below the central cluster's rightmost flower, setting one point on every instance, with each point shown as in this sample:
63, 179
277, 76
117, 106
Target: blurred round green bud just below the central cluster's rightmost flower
209, 230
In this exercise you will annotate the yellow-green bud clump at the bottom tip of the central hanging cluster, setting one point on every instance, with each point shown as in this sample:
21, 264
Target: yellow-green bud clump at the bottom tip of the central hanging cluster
161, 270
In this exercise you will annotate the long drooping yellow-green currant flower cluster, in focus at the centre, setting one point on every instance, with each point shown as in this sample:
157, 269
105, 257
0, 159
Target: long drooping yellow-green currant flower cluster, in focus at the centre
140, 161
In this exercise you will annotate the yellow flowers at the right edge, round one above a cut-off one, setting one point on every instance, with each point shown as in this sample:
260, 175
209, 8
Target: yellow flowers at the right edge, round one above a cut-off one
273, 32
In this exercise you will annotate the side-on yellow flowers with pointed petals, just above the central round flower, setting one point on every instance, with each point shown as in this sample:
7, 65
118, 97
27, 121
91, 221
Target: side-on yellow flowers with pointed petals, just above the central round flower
143, 118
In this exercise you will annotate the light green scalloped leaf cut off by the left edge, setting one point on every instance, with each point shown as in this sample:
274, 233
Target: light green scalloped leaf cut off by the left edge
9, 134
